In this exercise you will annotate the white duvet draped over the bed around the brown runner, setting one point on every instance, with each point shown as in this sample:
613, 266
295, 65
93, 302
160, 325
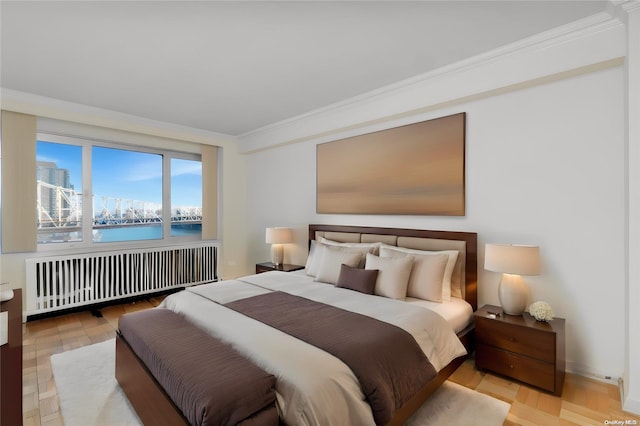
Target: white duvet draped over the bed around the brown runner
313, 387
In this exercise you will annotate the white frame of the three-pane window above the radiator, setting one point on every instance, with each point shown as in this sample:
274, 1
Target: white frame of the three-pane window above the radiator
87, 242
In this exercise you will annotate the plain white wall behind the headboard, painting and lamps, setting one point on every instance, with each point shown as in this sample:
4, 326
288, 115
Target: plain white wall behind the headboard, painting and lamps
545, 165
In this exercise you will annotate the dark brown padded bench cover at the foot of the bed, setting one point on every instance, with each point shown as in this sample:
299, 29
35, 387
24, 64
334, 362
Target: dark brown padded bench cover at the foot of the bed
208, 380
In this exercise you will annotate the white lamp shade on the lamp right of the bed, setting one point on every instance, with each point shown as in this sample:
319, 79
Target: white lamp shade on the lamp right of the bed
512, 259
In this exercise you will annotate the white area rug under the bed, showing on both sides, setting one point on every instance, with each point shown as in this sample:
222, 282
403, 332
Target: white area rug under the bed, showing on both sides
89, 395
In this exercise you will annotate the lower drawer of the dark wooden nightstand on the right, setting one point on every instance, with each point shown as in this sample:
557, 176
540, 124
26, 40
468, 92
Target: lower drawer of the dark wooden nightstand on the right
519, 367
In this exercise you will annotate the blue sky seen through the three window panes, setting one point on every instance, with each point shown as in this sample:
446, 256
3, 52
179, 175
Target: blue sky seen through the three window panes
127, 174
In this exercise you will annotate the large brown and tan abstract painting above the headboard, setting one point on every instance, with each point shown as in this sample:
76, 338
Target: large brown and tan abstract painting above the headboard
417, 169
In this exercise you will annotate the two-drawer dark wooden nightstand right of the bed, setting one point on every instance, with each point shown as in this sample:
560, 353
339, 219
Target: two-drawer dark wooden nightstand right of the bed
522, 348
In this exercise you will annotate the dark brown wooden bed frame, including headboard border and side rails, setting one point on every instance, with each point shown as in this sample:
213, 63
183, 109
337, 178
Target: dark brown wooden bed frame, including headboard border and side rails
154, 406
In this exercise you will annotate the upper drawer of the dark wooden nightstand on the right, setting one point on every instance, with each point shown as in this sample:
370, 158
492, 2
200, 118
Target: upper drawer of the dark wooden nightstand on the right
520, 340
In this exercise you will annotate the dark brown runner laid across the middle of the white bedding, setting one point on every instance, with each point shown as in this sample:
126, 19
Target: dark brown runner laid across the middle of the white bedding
386, 359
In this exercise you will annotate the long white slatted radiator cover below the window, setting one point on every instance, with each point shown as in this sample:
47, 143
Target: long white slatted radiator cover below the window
62, 282
